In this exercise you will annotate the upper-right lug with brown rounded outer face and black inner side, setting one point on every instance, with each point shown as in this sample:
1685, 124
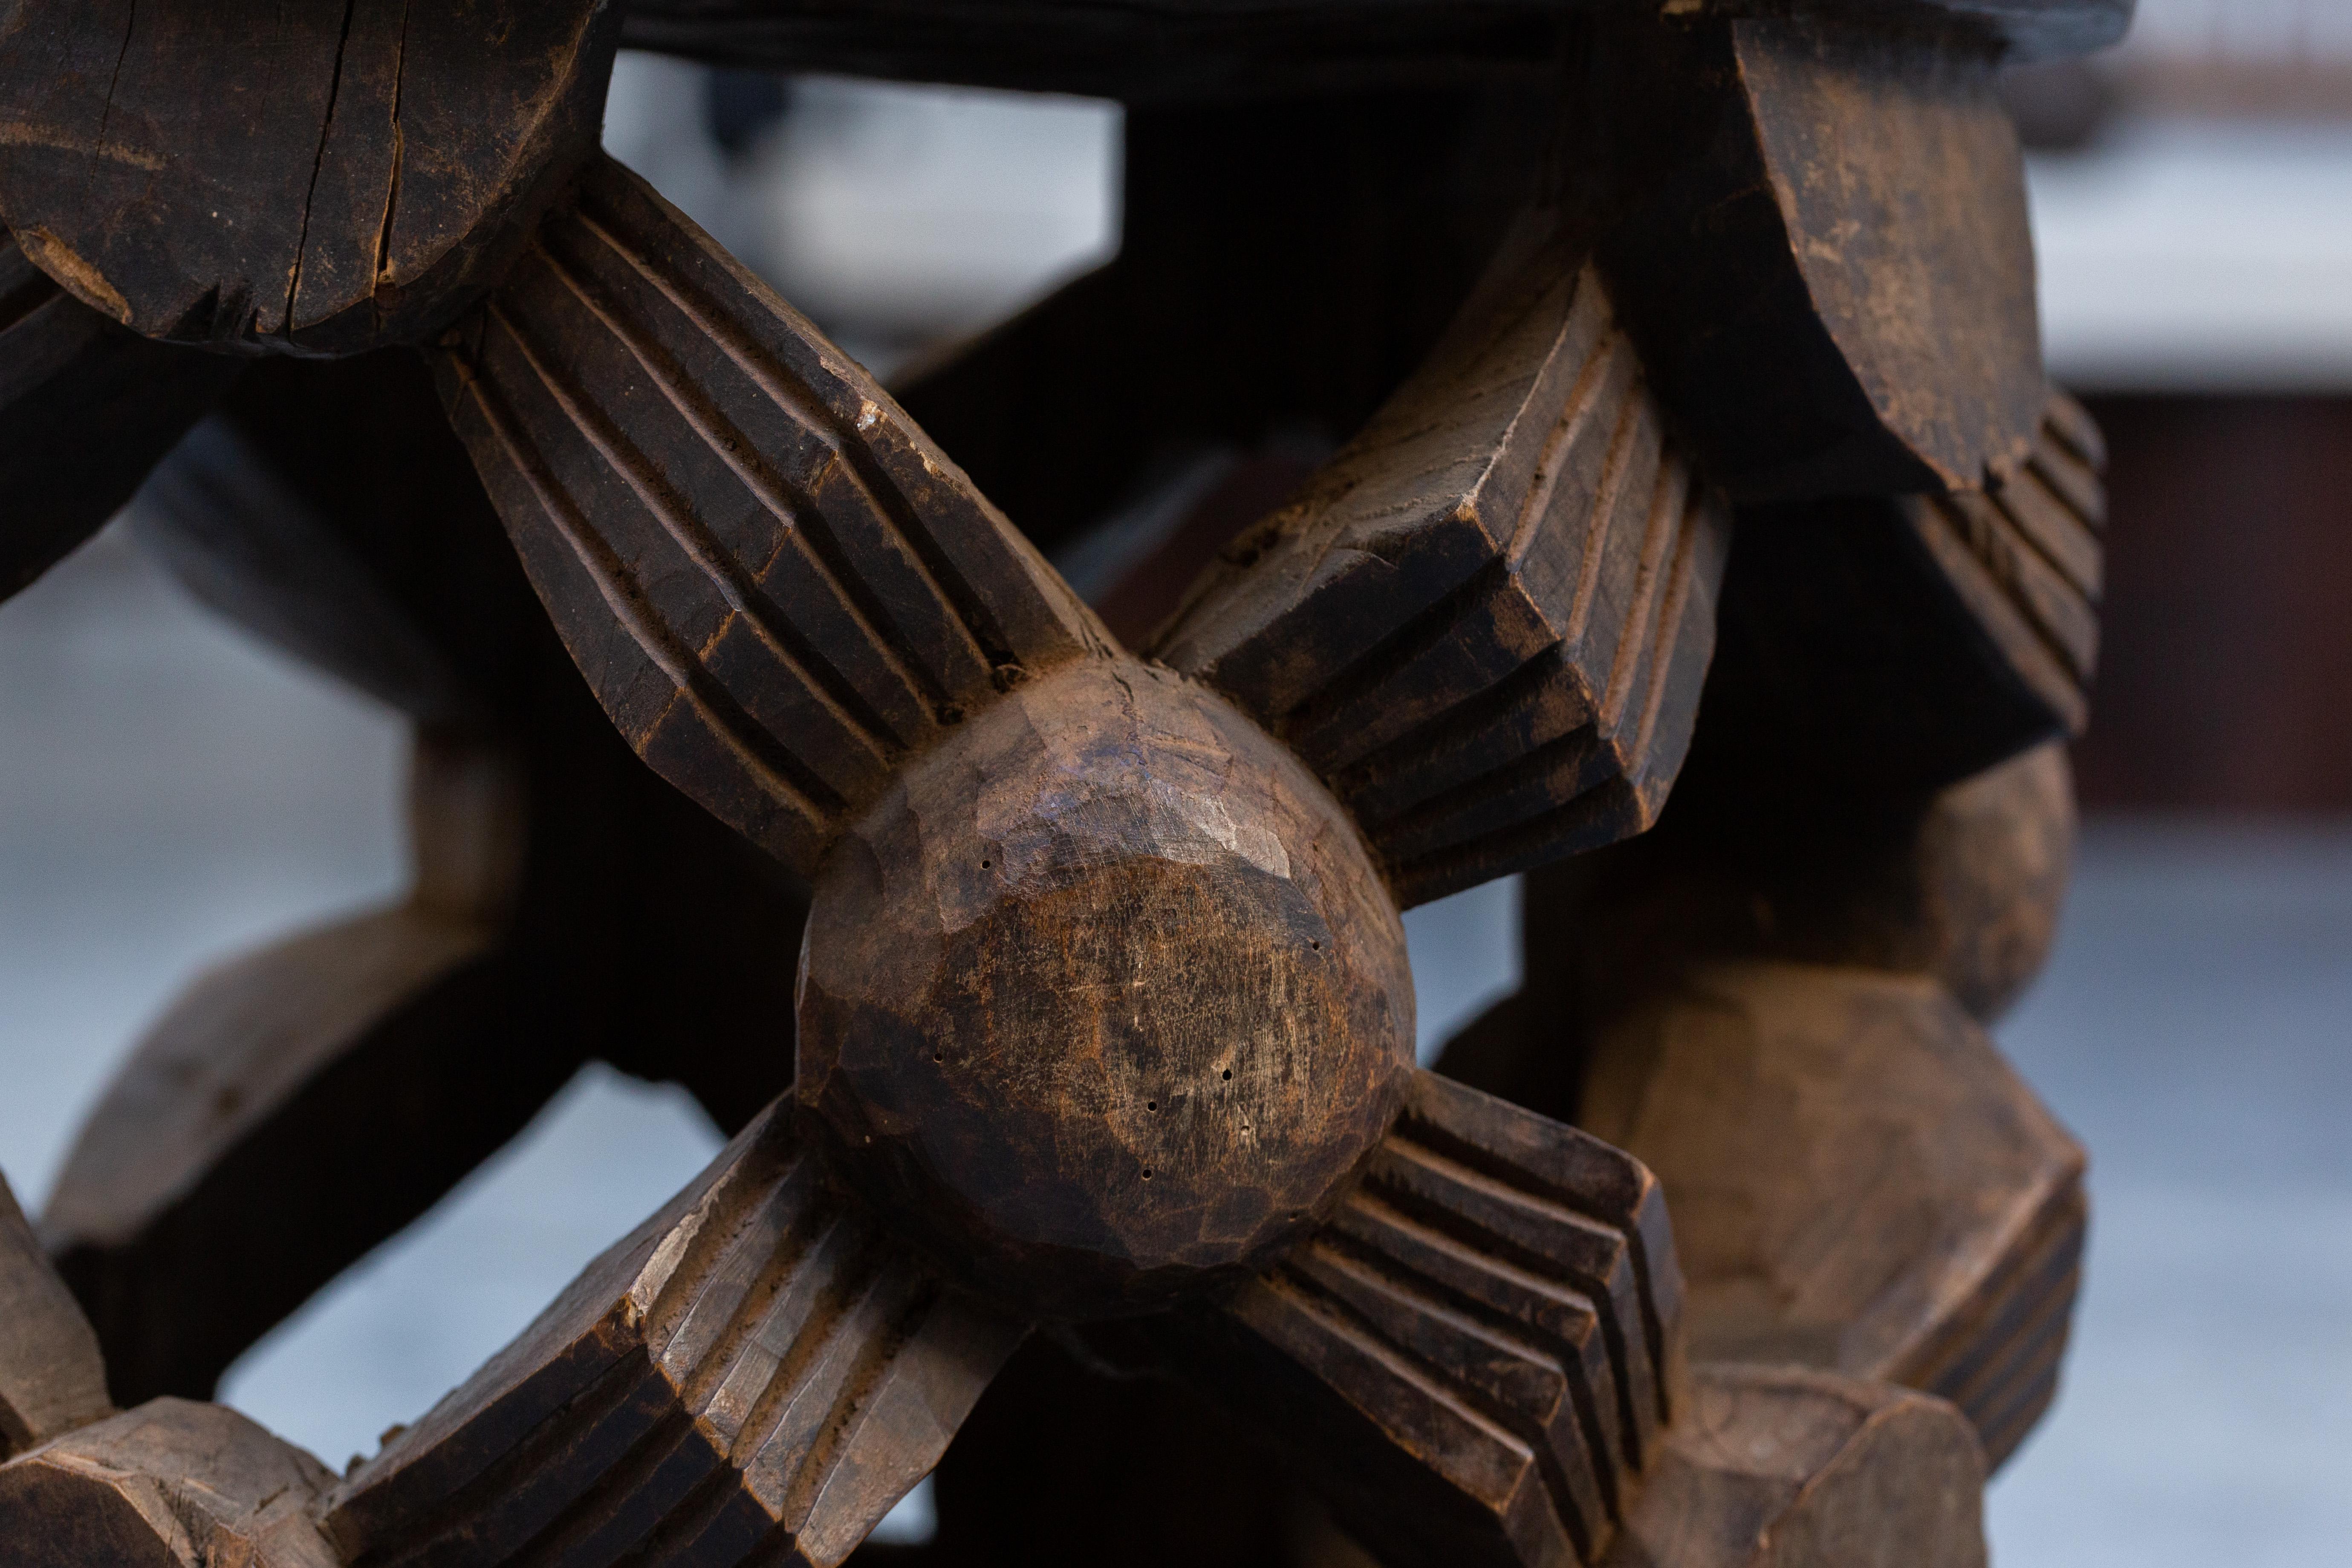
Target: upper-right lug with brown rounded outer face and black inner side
1822, 246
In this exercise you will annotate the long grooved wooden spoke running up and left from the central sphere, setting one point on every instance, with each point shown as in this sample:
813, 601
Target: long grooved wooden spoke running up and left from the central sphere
775, 584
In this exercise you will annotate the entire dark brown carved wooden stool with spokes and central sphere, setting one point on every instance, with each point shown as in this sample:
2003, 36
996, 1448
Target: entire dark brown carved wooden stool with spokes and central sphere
1090, 1113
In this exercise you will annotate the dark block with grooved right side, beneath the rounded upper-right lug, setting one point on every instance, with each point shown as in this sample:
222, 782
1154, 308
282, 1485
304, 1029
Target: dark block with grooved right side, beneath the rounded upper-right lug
1887, 645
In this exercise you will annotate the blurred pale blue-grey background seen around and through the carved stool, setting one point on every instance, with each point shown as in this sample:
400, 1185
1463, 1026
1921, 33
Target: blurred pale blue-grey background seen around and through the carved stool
173, 793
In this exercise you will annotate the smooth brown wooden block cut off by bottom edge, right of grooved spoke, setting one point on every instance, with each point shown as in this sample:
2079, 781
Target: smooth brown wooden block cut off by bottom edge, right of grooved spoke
1789, 1468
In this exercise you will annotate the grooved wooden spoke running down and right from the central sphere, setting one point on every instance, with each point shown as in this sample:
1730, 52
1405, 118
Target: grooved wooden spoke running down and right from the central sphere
1478, 1353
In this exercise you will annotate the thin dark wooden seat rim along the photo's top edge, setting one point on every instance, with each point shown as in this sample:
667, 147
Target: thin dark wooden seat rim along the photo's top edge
1165, 48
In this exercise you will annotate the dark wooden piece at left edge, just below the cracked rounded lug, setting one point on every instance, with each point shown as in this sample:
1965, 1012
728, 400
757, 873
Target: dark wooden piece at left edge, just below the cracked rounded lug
86, 410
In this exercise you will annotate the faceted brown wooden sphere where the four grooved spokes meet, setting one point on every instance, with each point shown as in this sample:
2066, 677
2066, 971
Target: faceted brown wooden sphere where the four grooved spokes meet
1104, 1000
